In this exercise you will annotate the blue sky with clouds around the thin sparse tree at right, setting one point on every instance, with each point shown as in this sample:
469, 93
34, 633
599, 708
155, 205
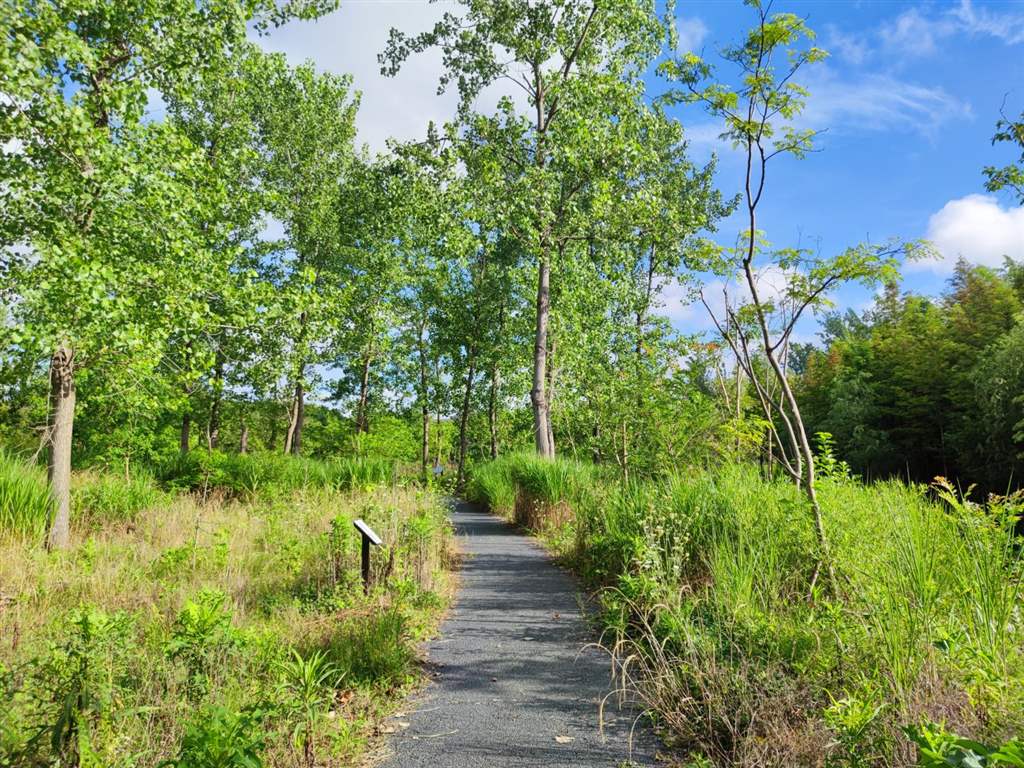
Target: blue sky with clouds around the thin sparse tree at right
909, 99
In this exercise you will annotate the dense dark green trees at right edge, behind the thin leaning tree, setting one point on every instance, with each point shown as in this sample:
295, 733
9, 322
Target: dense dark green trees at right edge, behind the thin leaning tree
918, 388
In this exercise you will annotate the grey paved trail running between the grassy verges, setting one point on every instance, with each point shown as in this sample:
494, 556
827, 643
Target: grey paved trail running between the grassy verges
513, 689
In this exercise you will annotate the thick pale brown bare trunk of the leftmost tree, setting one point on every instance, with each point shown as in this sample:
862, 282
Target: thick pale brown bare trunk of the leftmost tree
63, 407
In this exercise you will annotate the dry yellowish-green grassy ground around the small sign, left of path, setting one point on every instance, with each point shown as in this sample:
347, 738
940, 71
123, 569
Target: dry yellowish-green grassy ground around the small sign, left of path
170, 628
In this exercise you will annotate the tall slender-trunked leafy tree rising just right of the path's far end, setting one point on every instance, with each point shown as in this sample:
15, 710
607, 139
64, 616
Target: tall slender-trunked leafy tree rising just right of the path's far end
577, 62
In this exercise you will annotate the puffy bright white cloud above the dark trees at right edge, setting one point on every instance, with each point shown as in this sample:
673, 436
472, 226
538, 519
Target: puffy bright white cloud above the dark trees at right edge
978, 229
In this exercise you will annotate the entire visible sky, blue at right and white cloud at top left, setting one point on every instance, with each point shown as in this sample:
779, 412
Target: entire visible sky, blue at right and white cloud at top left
910, 98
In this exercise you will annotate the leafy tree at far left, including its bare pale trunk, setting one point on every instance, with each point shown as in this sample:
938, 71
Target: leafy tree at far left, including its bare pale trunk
100, 203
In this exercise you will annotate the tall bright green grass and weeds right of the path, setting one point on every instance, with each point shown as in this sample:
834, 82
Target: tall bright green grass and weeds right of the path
710, 618
